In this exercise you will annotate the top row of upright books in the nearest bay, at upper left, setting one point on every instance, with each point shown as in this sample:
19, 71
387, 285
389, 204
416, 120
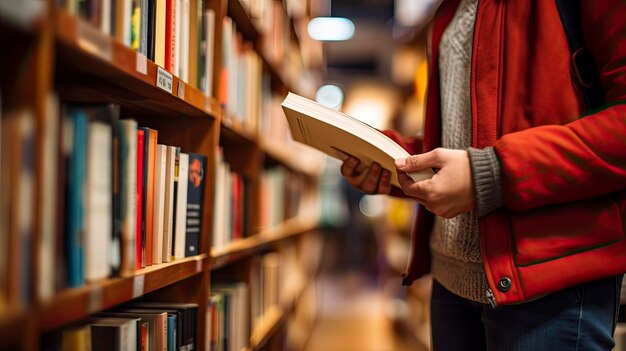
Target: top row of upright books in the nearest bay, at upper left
178, 35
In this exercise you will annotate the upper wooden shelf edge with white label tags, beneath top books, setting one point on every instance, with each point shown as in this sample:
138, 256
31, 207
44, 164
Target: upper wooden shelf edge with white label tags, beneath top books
82, 37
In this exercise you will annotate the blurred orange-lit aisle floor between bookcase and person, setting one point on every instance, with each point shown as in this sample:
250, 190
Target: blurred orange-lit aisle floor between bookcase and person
353, 317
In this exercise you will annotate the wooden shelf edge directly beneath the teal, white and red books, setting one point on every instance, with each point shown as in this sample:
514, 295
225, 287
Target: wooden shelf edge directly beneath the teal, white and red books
75, 304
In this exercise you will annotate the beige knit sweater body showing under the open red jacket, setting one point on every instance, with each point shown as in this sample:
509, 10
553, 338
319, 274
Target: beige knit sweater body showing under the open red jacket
455, 245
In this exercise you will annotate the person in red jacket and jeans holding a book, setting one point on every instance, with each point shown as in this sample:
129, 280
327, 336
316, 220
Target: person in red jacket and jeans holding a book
523, 225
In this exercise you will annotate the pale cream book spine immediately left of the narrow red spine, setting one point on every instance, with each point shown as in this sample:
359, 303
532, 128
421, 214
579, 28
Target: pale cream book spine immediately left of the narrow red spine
127, 154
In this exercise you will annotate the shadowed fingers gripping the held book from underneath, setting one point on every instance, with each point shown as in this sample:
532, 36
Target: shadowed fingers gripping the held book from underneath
373, 180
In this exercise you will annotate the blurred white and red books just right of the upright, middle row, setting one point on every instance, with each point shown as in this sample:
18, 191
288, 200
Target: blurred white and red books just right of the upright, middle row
232, 197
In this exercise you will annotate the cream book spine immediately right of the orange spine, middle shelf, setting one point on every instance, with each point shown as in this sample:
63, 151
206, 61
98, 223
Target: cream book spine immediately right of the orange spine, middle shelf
159, 203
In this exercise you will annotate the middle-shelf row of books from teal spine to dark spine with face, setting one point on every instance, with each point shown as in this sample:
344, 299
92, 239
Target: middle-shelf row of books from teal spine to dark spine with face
129, 201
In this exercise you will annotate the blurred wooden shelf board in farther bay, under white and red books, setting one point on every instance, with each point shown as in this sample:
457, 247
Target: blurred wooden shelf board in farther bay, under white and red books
243, 248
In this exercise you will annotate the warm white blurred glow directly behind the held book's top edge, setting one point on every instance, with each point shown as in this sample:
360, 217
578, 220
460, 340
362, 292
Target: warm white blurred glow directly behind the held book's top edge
373, 104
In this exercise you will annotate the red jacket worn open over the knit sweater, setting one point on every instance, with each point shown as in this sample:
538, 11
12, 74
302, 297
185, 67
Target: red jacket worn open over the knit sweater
563, 177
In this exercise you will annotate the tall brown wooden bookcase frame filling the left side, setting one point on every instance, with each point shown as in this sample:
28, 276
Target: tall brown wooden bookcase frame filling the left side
57, 54
